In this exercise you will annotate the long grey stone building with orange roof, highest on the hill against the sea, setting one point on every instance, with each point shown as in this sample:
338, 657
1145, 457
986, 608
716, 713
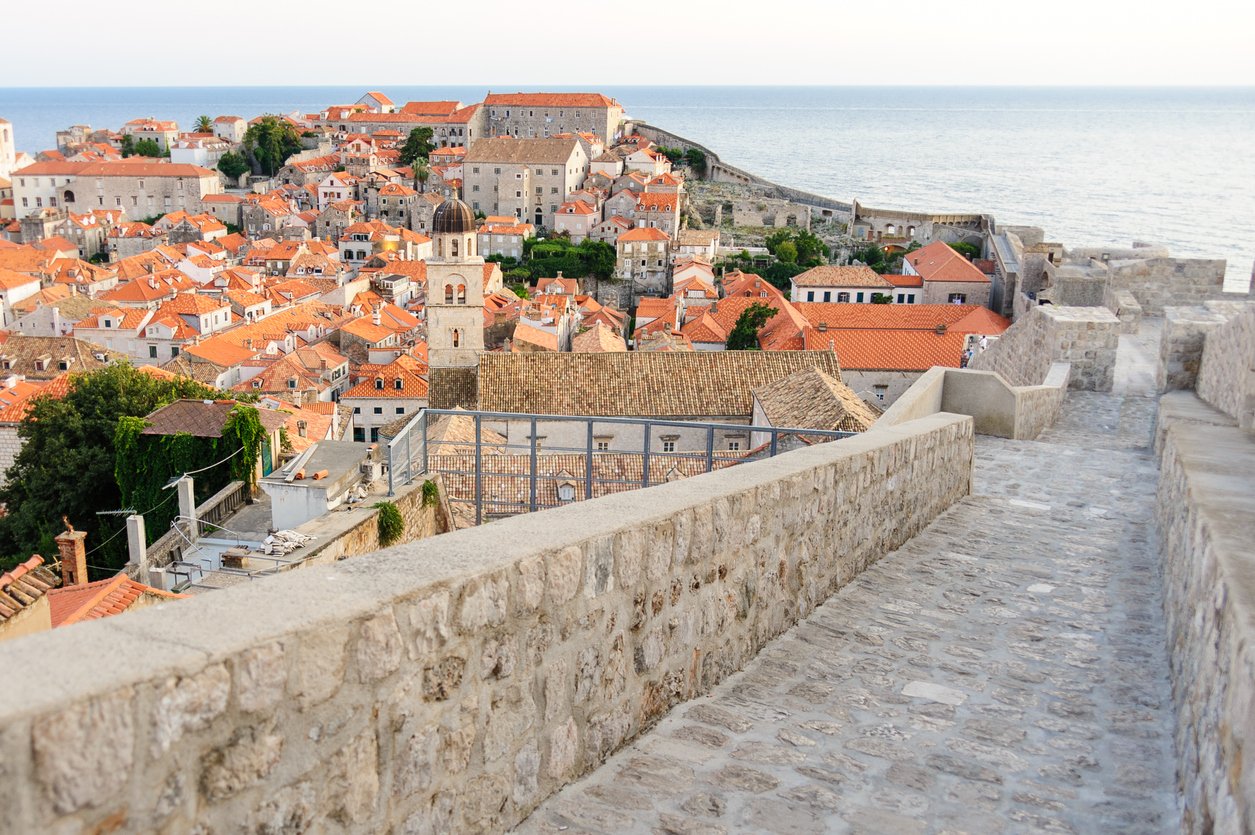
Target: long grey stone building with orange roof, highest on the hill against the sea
529, 116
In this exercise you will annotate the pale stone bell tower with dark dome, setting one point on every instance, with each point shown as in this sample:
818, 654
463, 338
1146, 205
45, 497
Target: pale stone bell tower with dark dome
455, 307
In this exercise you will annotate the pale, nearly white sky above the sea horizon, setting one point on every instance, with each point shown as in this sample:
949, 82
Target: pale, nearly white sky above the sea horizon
542, 43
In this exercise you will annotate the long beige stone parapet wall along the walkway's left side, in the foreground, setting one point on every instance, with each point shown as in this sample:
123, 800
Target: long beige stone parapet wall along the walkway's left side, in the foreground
452, 684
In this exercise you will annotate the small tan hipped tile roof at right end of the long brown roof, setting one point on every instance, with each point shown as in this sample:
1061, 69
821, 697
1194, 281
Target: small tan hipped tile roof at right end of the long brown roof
811, 400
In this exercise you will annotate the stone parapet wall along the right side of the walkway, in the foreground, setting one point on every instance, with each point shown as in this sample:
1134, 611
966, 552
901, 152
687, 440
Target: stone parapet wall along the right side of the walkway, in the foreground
1207, 518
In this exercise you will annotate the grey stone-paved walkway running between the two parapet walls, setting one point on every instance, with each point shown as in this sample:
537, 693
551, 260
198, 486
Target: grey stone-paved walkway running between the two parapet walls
1006, 671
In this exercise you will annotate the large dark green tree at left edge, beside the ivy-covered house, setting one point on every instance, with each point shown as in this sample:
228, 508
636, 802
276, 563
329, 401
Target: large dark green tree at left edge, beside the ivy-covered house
67, 461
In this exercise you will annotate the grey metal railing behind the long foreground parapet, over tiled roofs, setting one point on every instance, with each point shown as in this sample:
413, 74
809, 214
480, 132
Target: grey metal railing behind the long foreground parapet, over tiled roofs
485, 469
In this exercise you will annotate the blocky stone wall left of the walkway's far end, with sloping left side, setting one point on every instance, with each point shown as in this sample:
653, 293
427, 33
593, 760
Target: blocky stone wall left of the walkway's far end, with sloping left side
1086, 338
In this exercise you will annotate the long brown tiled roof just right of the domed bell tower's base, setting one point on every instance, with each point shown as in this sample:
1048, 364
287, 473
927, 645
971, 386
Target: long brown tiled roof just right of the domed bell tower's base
661, 385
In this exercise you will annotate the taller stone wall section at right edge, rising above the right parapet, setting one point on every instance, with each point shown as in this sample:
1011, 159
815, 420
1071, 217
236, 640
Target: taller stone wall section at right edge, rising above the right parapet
1227, 372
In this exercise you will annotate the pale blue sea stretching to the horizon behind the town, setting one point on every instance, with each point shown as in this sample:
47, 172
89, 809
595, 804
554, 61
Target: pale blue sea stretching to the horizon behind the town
1091, 166
